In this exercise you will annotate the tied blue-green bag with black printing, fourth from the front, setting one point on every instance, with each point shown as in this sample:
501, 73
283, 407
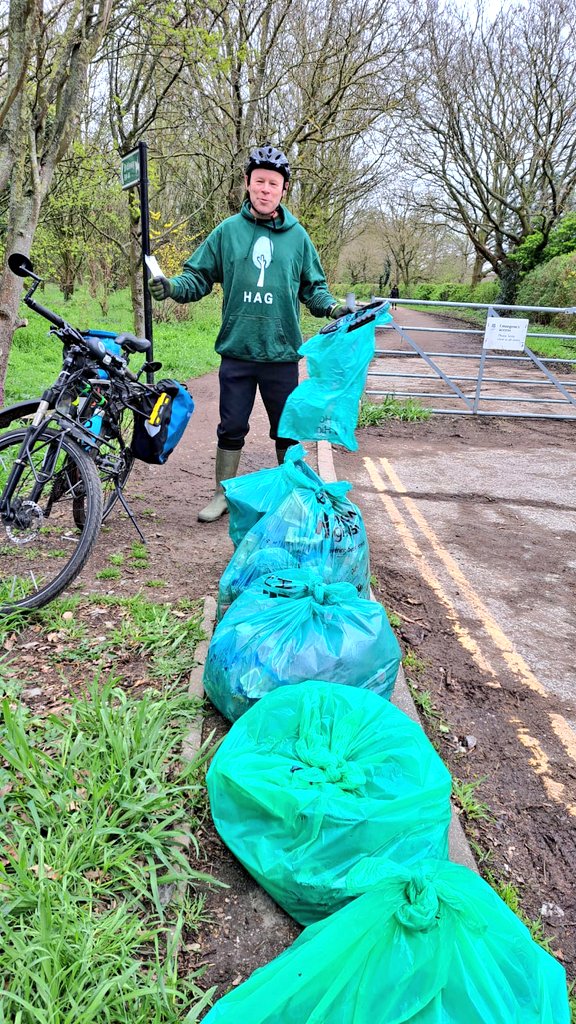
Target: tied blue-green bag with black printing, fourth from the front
318, 527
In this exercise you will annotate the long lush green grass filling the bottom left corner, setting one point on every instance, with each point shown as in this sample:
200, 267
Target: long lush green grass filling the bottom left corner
94, 808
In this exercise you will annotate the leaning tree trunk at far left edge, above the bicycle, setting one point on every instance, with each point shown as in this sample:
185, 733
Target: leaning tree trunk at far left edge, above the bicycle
56, 46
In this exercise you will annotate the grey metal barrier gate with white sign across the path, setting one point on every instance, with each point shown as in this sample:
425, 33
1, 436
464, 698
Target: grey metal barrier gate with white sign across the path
473, 371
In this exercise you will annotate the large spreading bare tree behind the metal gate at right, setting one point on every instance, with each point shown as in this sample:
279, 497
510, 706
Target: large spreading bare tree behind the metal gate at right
491, 132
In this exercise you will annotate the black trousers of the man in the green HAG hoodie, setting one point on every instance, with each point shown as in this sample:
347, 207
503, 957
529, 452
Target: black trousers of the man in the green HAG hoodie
239, 380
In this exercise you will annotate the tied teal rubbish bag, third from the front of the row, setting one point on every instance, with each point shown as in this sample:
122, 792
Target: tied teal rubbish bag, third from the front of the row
290, 627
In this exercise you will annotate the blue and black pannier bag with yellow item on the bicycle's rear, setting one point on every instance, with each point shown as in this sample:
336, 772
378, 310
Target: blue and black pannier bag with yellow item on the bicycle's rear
160, 420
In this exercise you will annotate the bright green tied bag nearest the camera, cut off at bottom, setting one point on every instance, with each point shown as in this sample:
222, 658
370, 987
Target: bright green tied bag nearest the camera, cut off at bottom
432, 946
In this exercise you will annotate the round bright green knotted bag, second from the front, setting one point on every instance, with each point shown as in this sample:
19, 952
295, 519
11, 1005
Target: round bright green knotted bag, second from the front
316, 778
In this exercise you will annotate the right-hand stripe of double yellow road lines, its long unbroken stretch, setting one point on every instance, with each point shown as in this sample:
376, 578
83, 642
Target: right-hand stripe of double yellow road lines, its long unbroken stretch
512, 658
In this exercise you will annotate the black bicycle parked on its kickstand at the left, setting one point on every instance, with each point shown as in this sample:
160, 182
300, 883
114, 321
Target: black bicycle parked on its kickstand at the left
65, 466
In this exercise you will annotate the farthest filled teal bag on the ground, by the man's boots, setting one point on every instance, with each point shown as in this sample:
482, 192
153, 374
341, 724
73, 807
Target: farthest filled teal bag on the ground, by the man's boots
250, 497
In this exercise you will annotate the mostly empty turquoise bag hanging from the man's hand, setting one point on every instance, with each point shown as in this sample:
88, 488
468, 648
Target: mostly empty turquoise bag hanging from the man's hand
325, 407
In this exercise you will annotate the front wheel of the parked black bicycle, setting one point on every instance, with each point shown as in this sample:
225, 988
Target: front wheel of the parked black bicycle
43, 549
